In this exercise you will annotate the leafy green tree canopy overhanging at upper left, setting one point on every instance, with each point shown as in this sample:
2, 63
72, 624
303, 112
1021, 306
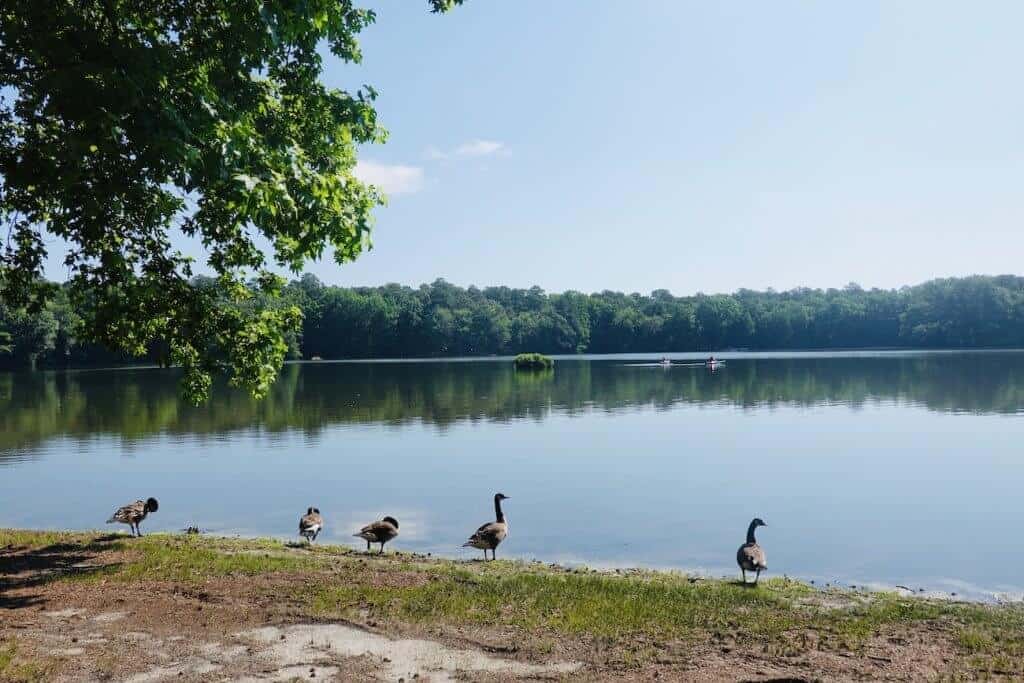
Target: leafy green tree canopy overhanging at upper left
124, 122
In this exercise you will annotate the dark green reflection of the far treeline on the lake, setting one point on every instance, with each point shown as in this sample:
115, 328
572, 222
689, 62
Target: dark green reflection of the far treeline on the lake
133, 405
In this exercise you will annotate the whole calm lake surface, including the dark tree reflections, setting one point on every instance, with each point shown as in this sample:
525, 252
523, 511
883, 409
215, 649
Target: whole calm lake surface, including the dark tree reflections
870, 468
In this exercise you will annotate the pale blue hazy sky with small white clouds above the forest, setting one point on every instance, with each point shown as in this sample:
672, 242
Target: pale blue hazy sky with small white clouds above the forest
694, 146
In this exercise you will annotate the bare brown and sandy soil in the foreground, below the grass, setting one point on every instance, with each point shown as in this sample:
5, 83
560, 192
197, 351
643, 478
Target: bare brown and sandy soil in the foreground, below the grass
255, 629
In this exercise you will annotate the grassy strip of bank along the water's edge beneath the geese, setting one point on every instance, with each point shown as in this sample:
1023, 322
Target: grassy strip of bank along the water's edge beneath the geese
635, 615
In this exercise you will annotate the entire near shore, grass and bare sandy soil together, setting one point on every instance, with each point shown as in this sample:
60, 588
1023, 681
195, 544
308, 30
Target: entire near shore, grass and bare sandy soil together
257, 608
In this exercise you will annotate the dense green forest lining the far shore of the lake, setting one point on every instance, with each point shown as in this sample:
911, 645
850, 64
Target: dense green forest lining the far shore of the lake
442, 319
